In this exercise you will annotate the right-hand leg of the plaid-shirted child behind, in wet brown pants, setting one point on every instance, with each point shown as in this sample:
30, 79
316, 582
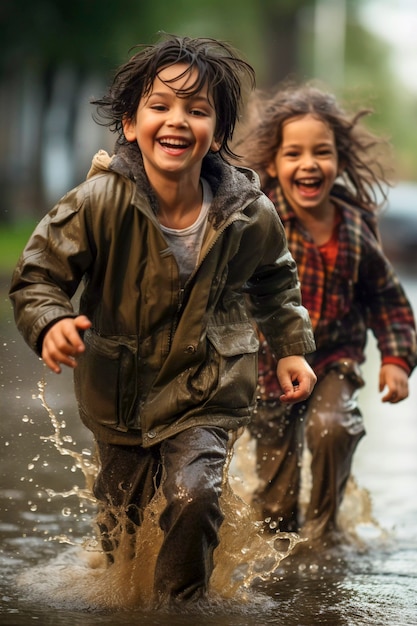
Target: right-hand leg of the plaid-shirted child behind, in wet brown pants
334, 426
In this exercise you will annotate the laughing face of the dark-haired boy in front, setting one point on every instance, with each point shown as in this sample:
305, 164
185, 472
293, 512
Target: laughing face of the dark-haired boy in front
173, 133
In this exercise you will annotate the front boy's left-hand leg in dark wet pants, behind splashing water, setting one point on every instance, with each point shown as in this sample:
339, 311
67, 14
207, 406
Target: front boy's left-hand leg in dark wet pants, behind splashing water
125, 485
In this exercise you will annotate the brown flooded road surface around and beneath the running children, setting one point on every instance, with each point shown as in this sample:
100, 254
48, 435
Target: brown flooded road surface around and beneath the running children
43, 510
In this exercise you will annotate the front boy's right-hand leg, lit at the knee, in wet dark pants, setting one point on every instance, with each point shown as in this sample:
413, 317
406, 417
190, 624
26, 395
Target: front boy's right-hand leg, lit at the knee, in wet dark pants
193, 462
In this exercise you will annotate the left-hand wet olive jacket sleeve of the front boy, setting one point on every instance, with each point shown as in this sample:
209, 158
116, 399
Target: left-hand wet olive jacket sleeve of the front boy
50, 268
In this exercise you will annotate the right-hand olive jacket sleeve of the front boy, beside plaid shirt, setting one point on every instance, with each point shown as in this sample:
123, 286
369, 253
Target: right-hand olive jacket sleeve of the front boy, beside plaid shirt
274, 289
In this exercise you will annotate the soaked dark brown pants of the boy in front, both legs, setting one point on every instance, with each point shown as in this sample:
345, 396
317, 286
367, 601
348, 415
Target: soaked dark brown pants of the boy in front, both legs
189, 466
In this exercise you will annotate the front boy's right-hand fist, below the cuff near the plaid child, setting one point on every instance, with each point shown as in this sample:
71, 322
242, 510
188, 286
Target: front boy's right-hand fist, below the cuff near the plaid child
296, 379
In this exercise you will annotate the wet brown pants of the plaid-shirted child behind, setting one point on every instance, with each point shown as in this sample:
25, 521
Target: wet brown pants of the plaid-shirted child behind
331, 425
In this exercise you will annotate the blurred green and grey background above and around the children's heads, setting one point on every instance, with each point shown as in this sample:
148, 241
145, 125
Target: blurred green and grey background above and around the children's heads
58, 55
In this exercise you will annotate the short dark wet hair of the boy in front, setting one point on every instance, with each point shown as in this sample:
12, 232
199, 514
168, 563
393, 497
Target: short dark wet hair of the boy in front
217, 63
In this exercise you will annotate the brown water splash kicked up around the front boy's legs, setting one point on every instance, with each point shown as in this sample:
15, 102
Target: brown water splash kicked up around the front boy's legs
80, 576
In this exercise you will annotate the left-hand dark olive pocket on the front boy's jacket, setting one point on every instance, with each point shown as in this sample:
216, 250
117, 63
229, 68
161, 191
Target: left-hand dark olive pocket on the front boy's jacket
106, 382
